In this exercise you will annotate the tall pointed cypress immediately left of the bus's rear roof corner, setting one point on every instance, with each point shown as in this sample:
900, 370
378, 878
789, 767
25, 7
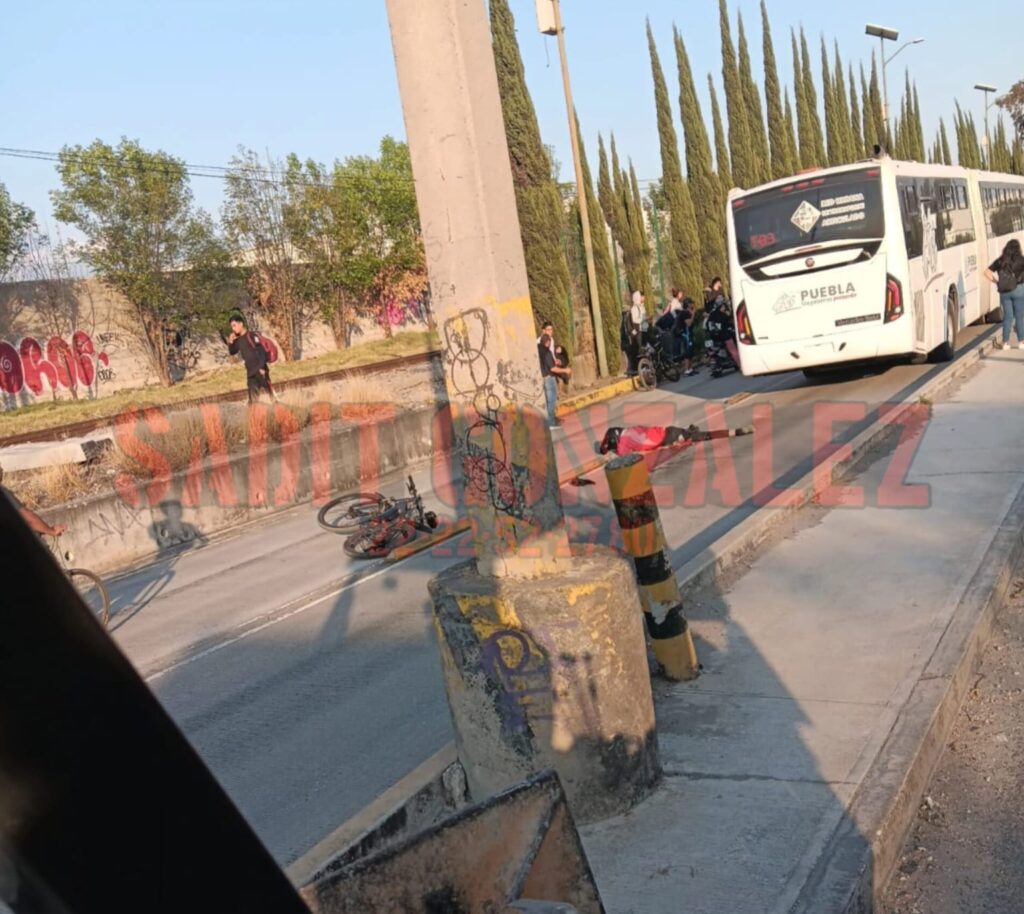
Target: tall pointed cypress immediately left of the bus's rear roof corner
706, 190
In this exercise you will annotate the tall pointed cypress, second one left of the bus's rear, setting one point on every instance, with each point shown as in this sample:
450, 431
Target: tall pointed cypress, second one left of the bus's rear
685, 250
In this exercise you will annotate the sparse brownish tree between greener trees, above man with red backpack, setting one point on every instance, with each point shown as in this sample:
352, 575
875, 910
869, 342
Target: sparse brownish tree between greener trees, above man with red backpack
254, 217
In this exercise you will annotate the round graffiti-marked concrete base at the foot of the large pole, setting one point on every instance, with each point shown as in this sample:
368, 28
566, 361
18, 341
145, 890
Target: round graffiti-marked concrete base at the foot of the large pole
550, 673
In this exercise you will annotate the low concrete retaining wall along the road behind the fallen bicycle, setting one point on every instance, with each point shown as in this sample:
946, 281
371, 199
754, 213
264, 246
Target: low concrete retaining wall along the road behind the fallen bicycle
140, 521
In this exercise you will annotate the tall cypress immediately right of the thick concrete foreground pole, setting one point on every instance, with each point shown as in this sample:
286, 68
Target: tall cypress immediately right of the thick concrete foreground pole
538, 198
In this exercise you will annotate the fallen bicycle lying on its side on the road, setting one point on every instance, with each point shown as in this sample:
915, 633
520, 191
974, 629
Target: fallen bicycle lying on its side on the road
376, 526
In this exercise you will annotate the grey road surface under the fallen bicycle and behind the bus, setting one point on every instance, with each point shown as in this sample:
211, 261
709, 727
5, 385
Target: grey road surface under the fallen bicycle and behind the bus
311, 684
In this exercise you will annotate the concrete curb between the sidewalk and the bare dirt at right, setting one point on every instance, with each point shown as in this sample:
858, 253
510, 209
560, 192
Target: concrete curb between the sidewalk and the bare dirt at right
852, 873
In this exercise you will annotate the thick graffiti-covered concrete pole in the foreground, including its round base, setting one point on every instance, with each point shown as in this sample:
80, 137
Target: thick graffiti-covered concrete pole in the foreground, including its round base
517, 622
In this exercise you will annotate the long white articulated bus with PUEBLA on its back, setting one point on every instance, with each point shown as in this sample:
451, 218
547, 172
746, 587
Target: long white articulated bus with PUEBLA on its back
866, 263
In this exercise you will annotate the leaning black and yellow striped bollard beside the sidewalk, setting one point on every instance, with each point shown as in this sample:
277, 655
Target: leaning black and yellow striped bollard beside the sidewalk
644, 538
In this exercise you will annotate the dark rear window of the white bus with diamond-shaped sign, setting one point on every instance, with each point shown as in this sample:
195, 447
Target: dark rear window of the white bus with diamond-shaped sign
810, 211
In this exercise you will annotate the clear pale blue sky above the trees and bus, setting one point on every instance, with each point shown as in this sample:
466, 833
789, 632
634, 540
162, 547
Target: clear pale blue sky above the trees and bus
197, 79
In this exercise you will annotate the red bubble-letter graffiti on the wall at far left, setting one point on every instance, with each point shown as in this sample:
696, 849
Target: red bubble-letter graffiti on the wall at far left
30, 367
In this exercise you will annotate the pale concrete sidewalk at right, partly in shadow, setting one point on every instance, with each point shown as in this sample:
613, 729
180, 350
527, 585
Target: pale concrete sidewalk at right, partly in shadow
786, 758
